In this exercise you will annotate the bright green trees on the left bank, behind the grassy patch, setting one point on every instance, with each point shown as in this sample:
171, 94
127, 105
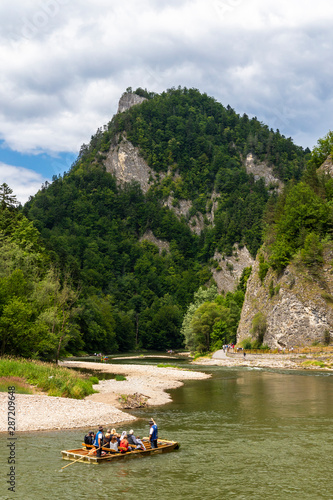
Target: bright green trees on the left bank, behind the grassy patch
36, 307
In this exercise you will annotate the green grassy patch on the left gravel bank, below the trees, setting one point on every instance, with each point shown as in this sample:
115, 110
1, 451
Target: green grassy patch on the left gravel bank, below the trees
50, 378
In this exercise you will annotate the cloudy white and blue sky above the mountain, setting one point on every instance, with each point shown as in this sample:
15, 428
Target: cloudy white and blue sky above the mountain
65, 64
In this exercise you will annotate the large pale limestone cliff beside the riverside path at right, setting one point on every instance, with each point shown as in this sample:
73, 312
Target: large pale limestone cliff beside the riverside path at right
298, 307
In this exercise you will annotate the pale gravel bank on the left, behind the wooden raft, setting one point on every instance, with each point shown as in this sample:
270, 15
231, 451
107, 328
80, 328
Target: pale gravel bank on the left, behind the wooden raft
35, 412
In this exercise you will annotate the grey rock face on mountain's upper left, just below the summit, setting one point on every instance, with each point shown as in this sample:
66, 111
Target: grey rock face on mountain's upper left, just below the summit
124, 161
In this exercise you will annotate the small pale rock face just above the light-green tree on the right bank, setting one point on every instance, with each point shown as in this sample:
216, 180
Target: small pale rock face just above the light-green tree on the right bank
231, 268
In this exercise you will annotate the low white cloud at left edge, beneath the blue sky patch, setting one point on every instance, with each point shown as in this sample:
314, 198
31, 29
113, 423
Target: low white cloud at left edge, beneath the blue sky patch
23, 181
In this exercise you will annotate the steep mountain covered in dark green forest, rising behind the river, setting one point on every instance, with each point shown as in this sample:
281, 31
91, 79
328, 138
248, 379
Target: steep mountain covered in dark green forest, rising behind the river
93, 227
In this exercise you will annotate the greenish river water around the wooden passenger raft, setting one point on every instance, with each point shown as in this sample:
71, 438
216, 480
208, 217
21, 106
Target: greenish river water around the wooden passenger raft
244, 434
